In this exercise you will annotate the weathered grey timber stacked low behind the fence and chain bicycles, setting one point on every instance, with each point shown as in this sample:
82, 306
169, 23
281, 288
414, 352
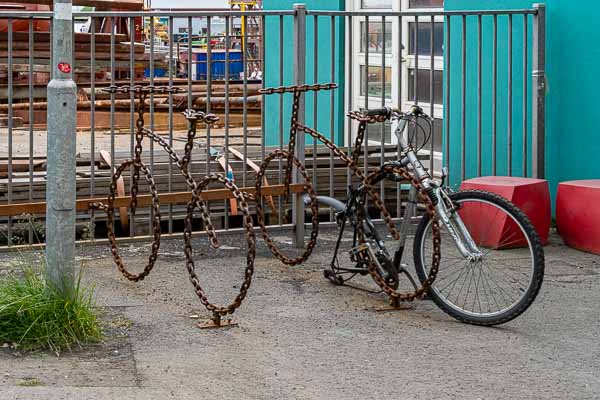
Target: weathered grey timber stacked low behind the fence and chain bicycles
330, 177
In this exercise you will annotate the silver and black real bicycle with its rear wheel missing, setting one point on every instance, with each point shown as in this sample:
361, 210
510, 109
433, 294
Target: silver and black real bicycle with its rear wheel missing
466, 250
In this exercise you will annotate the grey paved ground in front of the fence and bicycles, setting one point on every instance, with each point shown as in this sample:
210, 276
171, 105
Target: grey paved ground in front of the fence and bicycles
302, 338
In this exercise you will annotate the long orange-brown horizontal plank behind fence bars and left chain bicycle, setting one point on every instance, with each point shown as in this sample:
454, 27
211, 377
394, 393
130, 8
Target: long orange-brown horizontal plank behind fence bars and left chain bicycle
145, 200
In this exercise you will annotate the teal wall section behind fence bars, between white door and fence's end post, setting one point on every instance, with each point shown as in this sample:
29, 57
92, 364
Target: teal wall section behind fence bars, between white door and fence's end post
502, 97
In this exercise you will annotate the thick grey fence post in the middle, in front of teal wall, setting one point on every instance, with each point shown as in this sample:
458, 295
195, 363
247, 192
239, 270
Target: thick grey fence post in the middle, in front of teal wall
299, 79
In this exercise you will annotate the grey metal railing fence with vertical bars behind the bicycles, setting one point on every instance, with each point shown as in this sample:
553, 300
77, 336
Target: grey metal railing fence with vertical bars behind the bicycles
377, 58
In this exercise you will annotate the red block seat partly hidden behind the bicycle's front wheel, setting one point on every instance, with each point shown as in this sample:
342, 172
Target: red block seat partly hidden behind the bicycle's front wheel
532, 196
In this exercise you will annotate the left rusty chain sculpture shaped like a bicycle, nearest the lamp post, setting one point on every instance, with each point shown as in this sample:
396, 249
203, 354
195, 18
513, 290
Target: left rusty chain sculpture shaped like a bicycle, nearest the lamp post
196, 201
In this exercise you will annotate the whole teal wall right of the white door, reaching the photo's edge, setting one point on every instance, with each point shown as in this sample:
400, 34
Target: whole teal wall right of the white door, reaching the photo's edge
572, 65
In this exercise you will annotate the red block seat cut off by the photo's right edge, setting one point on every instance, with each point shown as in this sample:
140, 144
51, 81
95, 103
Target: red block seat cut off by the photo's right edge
578, 214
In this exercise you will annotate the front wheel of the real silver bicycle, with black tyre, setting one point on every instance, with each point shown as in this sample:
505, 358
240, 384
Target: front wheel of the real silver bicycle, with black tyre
501, 284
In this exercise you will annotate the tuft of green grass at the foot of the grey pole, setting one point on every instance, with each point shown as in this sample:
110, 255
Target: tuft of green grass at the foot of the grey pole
34, 315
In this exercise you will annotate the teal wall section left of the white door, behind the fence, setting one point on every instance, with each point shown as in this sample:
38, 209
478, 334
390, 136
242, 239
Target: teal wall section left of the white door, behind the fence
272, 75
